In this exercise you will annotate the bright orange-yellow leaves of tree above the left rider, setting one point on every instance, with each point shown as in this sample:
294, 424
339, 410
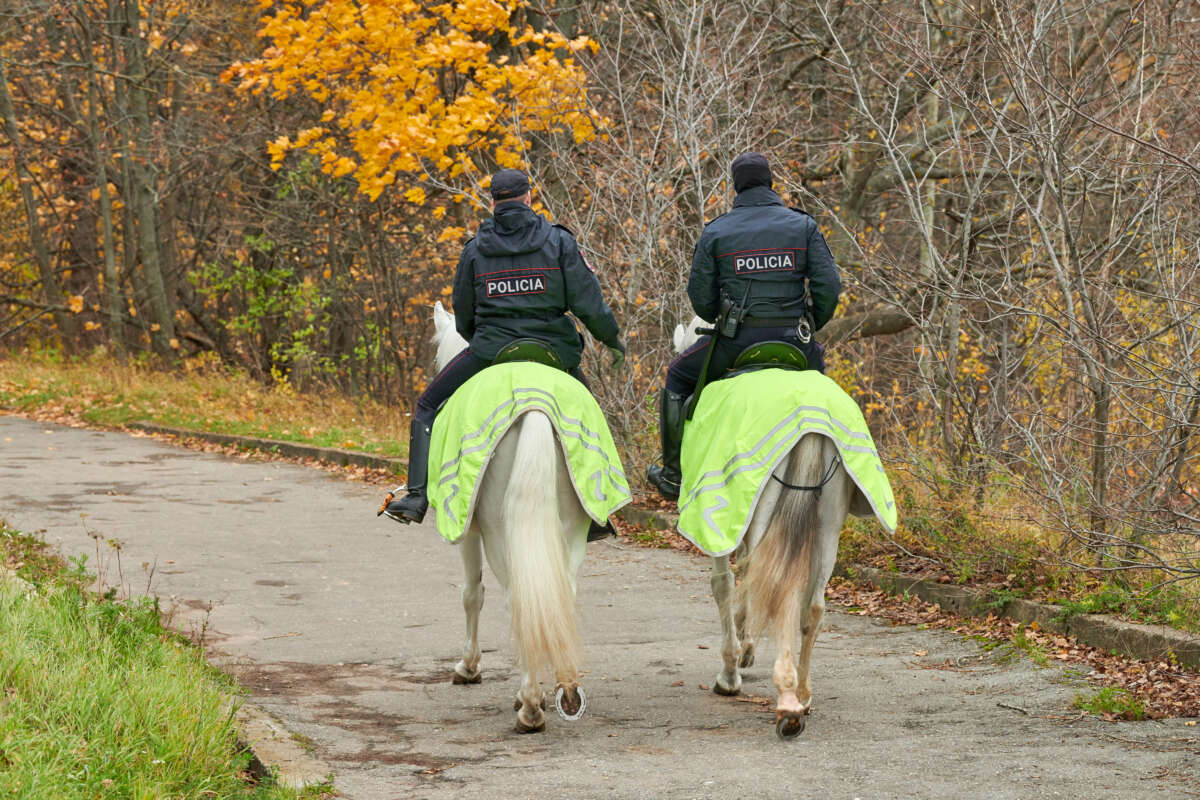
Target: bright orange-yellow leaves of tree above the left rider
415, 88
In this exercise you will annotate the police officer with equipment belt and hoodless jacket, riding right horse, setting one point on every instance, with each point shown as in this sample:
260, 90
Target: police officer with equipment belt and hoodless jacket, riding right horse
760, 273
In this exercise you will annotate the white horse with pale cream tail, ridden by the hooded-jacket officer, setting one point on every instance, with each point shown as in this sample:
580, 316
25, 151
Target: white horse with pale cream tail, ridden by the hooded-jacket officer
532, 527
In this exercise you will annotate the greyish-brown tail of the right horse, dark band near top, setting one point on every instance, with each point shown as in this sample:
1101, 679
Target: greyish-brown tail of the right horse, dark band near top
779, 567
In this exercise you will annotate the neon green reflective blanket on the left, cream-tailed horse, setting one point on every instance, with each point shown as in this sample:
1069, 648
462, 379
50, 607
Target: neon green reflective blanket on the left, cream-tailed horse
476, 418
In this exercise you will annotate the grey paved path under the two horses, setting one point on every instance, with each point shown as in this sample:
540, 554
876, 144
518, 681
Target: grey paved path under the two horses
345, 628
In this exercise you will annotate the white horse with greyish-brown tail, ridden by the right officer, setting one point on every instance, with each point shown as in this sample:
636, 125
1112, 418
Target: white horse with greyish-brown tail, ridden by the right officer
785, 561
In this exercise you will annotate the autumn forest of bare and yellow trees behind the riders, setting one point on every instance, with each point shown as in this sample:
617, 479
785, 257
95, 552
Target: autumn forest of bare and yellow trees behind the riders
1010, 189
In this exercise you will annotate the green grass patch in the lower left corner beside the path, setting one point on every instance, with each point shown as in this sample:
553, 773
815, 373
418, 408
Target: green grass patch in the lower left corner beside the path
101, 701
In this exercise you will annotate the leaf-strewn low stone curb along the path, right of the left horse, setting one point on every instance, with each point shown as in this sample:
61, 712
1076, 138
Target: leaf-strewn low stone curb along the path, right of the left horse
1133, 640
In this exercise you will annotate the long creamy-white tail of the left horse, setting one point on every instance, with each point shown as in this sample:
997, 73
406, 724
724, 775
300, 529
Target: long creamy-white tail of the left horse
542, 593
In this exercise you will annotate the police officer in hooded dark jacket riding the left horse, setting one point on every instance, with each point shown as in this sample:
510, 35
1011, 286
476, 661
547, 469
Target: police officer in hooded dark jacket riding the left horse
517, 279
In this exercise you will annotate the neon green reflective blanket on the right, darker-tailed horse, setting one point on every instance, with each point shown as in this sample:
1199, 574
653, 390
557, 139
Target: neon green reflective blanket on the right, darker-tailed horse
745, 426
